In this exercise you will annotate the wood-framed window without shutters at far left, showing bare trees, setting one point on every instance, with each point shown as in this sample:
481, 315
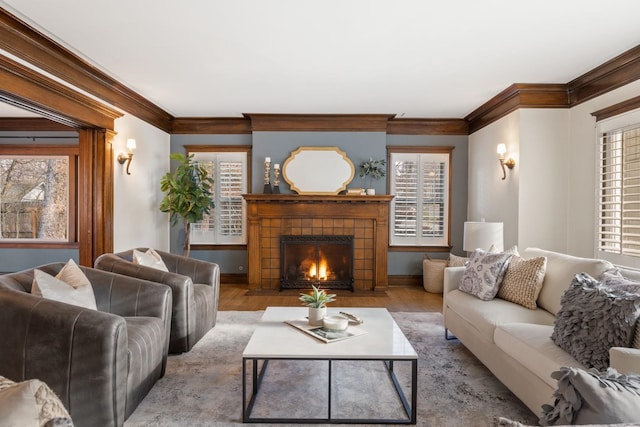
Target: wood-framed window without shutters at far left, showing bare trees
37, 194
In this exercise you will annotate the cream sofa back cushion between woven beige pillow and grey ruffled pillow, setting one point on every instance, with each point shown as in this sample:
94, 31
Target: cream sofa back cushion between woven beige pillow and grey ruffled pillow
561, 269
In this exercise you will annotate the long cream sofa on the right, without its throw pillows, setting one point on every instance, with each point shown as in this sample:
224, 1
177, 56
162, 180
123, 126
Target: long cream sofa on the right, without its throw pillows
515, 342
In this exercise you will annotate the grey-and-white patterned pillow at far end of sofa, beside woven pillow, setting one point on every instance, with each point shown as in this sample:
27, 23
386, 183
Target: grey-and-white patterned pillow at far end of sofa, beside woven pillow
484, 273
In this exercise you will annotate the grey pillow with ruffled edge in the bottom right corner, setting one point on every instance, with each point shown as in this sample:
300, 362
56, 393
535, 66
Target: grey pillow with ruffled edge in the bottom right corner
592, 397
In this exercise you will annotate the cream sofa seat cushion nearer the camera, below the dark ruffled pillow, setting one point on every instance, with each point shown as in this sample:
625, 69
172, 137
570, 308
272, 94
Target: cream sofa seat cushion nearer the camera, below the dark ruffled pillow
532, 347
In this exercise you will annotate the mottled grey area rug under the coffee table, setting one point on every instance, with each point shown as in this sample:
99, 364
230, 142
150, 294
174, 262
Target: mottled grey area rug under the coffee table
204, 386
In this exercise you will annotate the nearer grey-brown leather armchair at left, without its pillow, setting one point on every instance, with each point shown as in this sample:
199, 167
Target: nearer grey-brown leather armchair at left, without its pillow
100, 363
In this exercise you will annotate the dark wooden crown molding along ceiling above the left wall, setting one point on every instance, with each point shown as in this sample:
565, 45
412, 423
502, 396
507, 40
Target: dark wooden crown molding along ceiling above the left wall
21, 40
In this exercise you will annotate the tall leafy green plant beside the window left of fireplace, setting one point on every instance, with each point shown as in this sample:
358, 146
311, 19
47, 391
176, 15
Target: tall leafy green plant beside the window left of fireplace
188, 194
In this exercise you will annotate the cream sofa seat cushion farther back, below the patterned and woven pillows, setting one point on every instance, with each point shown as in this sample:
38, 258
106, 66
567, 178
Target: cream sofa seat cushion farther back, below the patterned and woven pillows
484, 316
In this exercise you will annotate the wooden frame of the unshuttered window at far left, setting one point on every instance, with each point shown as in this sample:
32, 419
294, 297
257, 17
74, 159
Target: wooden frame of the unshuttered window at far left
73, 154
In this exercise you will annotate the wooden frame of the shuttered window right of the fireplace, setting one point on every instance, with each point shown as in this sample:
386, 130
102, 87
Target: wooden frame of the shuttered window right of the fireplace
420, 150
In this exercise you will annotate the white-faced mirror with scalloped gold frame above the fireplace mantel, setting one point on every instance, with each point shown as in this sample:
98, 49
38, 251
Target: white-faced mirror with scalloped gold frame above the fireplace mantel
318, 170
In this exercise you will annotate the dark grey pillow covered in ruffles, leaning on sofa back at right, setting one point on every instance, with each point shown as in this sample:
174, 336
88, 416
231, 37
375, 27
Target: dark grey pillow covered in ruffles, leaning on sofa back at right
592, 319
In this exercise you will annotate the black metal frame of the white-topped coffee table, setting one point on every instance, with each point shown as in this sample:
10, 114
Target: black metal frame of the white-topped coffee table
257, 374
